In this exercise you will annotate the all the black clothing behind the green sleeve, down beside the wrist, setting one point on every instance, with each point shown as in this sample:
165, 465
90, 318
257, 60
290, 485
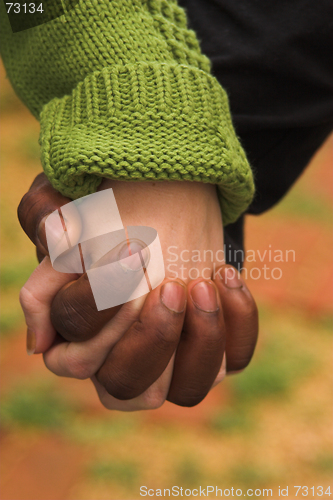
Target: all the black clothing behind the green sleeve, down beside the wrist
275, 61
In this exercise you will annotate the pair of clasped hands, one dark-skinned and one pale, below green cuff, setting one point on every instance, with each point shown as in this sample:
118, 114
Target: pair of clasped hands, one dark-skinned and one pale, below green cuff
175, 343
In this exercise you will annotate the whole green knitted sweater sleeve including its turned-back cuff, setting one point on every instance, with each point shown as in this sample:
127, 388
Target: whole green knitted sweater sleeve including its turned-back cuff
122, 91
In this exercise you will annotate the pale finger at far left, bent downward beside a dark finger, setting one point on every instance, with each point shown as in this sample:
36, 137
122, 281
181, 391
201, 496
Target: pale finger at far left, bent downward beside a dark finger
36, 297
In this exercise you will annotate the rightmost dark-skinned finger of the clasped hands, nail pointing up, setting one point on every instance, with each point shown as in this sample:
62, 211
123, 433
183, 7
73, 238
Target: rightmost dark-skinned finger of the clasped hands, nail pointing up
240, 316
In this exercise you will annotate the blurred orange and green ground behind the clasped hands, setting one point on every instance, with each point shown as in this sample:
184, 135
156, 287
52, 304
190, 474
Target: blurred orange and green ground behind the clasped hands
270, 426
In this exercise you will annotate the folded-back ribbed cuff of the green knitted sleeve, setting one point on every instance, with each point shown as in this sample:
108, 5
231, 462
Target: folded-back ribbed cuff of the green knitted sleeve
145, 121
